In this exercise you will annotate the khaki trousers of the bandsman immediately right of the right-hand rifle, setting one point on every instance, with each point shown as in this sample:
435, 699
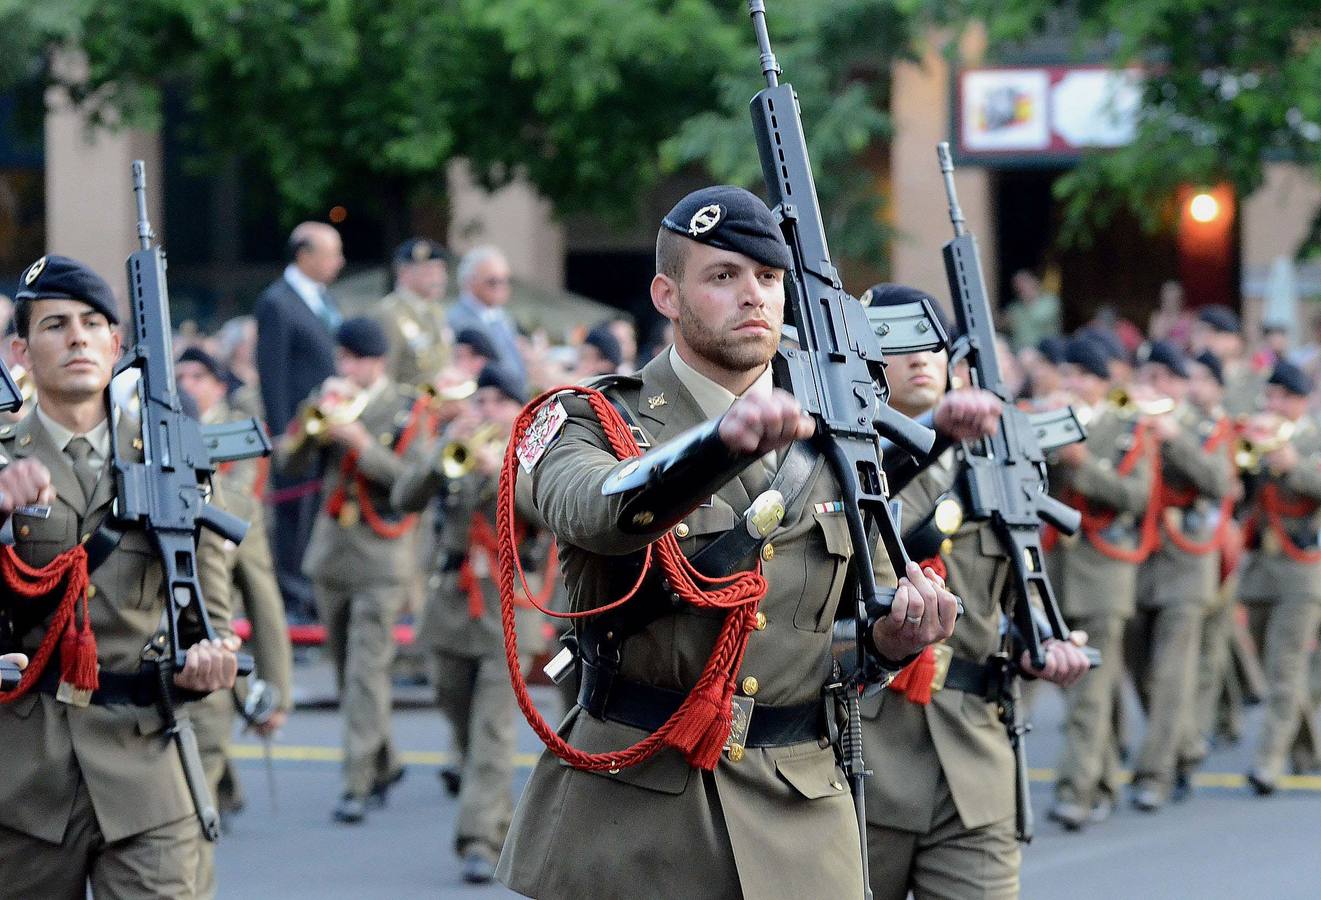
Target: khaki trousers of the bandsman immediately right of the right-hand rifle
1089, 769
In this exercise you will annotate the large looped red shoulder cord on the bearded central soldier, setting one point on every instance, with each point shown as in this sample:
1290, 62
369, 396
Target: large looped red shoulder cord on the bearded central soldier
701, 726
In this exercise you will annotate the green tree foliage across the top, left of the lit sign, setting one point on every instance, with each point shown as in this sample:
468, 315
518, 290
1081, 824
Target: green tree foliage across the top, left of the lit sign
592, 100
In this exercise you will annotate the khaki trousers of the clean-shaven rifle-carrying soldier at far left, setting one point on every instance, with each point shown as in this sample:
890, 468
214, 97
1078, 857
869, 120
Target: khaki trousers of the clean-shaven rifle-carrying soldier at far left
158, 864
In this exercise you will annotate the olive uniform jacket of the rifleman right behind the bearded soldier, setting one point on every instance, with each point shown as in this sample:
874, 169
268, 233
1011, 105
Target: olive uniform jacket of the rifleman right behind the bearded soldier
957, 737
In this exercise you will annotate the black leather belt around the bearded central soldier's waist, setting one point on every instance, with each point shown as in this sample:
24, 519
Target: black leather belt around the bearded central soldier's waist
648, 708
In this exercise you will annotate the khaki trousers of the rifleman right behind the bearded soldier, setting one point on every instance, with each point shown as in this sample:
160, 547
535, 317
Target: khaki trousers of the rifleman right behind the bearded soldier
949, 861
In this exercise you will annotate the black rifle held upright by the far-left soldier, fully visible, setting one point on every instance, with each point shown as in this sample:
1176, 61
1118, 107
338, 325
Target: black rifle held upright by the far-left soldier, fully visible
167, 494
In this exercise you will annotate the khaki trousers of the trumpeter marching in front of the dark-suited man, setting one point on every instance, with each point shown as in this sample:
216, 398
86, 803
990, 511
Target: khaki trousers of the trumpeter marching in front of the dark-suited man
360, 638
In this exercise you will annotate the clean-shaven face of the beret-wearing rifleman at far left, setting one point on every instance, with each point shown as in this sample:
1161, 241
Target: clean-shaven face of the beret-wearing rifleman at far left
71, 350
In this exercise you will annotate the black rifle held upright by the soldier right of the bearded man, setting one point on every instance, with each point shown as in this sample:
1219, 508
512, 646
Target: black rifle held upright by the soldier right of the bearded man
1003, 479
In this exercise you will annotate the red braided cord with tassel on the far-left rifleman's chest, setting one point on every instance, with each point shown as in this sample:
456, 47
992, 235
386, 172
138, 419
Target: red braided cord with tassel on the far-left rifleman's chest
77, 646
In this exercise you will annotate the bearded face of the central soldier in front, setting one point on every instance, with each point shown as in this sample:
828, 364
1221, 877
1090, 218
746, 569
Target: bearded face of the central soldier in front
727, 309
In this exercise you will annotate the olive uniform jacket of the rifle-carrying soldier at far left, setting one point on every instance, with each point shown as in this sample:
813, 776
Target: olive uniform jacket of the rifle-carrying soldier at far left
131, 769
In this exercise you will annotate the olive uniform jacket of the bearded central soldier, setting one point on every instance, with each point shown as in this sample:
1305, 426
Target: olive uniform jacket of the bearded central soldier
779, 823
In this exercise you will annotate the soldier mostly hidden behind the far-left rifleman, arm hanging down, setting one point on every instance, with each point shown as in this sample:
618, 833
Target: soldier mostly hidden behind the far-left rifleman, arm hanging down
253, 585
